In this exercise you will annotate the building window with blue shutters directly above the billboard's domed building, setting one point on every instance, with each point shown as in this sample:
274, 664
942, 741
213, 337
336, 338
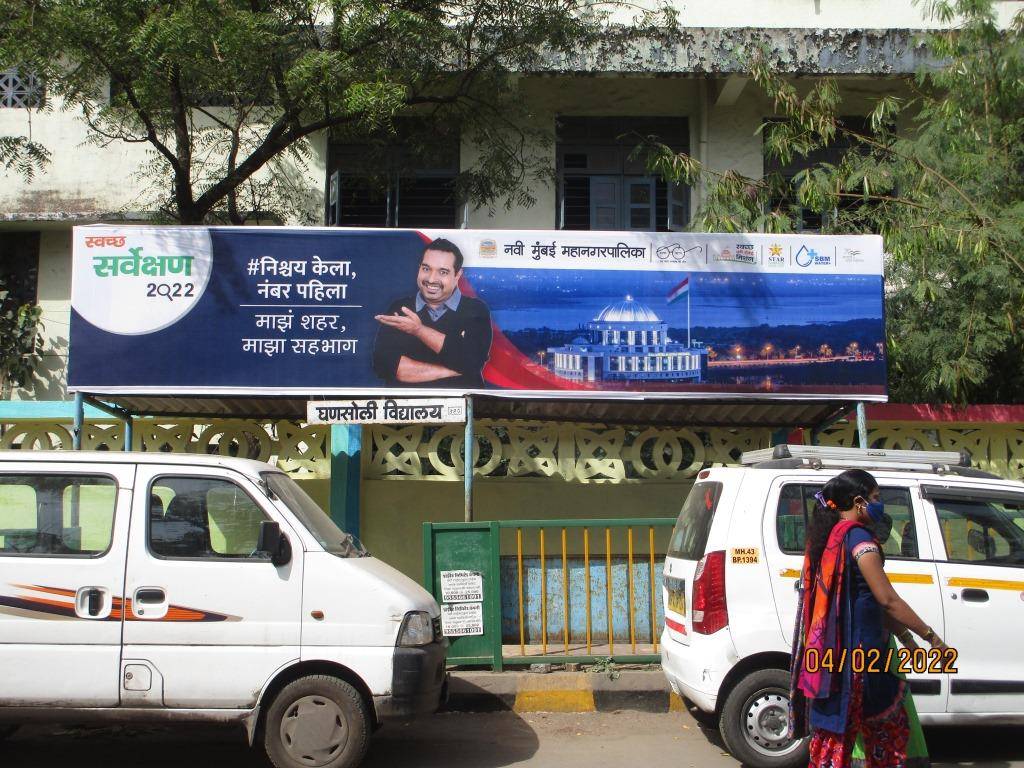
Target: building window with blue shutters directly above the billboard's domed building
602, 187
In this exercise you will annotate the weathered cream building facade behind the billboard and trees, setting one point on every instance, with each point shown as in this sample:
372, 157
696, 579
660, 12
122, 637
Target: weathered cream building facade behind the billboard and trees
693, 94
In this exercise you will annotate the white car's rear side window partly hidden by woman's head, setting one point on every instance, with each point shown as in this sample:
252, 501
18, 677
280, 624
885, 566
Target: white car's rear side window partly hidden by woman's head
897, 533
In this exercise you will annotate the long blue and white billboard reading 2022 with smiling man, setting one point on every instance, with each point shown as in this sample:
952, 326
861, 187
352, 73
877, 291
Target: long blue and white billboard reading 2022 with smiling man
321, 312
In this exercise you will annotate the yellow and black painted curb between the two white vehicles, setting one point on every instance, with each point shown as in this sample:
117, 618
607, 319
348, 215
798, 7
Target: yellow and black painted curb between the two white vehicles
637, 691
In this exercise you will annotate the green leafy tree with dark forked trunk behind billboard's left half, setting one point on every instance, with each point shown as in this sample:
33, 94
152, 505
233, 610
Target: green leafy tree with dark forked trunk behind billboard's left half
228, 94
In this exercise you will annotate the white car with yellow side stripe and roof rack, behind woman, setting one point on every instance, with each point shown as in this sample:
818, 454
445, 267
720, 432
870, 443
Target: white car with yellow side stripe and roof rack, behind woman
955, 552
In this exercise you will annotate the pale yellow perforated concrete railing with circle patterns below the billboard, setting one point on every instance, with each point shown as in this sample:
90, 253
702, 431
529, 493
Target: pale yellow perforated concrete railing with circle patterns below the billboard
566, 452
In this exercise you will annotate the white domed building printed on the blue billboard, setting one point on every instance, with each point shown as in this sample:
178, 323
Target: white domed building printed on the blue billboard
628, 342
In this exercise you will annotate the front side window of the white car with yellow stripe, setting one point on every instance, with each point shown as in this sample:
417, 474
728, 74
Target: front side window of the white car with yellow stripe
983, 532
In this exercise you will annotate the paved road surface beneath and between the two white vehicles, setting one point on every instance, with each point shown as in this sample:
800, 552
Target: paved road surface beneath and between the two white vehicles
591, 741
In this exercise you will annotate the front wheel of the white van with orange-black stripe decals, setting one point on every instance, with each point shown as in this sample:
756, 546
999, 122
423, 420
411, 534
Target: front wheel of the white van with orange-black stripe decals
317, 722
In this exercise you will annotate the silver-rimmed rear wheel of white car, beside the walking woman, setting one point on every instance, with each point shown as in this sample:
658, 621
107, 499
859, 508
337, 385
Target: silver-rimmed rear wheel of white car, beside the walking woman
755, 719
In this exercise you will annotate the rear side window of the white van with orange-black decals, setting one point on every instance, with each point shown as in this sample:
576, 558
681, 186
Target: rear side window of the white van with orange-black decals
51, 515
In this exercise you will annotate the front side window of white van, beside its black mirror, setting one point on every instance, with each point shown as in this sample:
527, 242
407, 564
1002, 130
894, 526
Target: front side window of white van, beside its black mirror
202, 518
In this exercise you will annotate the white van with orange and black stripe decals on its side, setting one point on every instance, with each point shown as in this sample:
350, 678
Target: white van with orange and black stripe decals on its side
161, 587
